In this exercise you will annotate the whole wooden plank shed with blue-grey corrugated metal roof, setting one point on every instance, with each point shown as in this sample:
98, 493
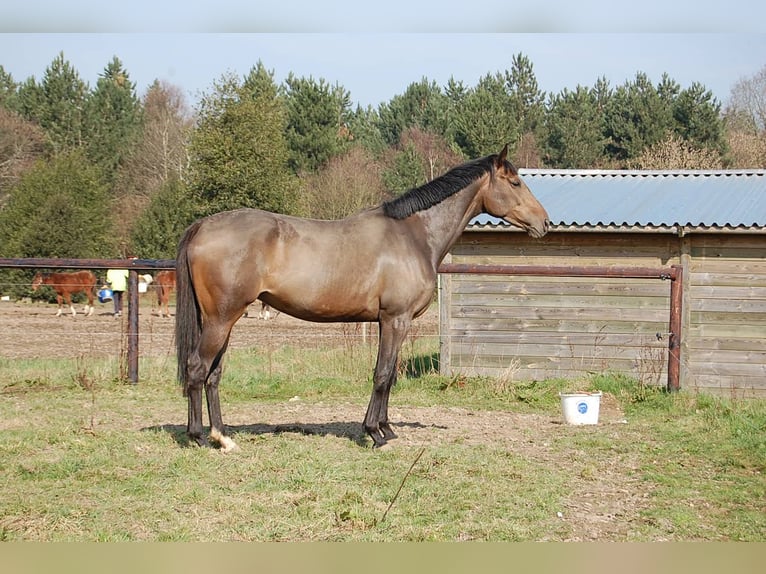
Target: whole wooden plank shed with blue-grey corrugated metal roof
712, 223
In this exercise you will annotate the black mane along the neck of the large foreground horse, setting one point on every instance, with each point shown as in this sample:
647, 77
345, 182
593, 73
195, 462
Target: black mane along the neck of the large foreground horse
439, 189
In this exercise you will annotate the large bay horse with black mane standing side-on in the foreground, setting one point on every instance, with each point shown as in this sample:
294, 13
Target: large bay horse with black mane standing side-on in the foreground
378, 265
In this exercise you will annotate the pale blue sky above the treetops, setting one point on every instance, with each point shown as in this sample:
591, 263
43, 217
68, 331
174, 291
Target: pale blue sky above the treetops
375, 52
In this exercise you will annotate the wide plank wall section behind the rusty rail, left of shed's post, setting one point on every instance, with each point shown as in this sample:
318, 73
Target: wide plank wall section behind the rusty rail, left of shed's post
553, 327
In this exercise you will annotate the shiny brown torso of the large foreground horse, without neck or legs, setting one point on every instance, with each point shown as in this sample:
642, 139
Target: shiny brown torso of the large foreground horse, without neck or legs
320, 270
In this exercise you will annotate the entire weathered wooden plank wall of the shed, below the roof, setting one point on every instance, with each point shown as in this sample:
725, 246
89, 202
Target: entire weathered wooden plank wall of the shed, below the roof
538, 327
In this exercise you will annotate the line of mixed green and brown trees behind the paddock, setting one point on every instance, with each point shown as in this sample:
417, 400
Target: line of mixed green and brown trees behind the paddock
101, 172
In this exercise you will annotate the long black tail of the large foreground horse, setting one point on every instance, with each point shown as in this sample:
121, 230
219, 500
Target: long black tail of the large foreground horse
188, 320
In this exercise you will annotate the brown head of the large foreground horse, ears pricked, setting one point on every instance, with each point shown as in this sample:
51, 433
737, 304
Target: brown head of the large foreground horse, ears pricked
507, 196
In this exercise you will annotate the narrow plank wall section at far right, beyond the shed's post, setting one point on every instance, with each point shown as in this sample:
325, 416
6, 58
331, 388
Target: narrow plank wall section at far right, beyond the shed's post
726, 335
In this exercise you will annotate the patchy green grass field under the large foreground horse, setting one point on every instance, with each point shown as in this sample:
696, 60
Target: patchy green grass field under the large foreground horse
85, 457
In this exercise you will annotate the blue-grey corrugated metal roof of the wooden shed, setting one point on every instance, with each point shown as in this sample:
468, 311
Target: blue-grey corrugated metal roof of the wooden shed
724, 199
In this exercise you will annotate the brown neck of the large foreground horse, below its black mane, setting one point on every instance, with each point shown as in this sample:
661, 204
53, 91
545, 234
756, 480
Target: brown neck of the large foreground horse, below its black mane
445, 222
